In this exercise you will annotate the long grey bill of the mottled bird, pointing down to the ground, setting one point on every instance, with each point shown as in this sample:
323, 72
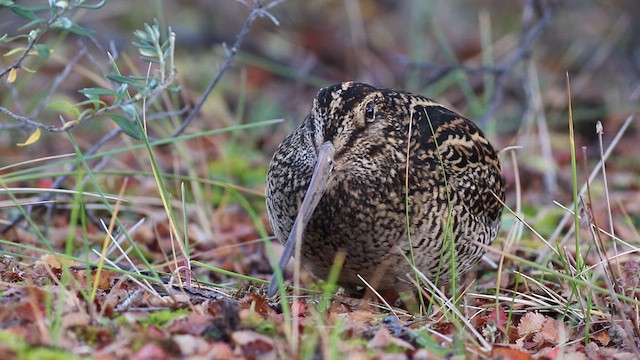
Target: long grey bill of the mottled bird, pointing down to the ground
317, 187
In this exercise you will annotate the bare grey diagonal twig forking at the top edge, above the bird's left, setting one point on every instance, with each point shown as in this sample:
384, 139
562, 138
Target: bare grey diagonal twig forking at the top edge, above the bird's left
257, 11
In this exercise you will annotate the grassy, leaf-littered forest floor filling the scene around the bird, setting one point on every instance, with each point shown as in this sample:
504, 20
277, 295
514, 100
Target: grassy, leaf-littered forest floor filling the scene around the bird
121, 241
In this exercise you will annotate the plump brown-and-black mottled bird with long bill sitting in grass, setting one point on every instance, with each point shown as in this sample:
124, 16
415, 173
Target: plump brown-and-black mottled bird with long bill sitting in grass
394, 181
